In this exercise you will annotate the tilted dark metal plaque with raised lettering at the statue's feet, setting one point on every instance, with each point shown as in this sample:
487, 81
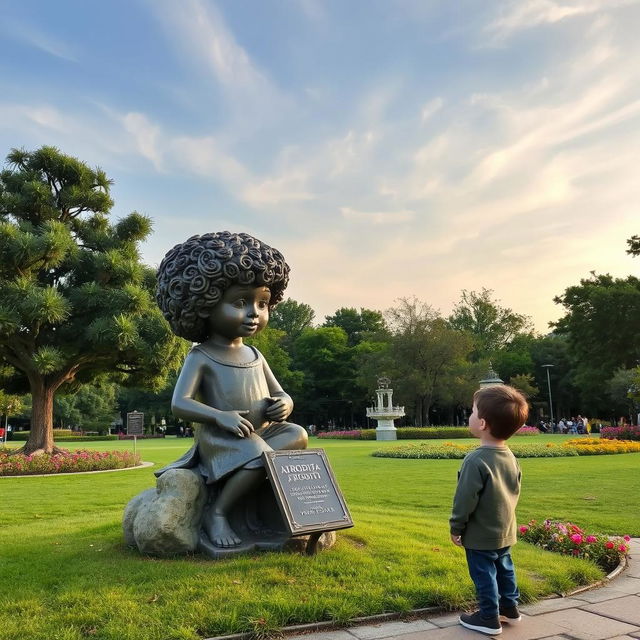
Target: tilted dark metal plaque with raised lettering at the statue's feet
306, 491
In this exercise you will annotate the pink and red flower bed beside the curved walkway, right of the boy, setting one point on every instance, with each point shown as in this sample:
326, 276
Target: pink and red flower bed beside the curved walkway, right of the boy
569, 539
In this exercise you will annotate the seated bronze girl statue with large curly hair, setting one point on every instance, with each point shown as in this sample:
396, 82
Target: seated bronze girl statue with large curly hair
216, 290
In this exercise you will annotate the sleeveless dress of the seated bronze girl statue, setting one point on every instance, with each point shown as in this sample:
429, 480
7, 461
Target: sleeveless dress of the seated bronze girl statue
233, 387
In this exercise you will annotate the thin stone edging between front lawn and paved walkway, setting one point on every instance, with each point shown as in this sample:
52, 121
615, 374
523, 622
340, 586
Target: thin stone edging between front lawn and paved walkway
384, 617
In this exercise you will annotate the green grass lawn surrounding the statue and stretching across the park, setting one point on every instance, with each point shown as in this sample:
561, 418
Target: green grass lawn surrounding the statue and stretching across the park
65, 573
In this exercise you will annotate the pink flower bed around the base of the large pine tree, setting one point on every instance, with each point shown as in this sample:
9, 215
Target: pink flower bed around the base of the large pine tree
17, 464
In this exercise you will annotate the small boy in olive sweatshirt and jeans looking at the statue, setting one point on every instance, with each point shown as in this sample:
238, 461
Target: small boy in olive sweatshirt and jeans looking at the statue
483, 517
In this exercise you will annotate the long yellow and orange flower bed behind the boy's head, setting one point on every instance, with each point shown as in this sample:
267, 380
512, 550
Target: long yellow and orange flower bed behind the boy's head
574, 447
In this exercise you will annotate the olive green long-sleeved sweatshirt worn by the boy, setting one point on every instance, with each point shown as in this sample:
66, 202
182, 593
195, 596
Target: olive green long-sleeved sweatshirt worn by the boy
486, 497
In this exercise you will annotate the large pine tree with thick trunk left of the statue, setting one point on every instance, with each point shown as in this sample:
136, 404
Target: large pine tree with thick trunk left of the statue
75, 300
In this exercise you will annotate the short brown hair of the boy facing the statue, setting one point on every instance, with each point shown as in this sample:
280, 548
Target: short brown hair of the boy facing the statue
503, 408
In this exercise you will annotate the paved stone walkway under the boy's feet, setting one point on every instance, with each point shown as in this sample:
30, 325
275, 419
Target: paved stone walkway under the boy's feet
611, 612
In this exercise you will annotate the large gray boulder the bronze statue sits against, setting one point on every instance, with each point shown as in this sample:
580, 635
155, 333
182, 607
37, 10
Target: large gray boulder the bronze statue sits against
166, 520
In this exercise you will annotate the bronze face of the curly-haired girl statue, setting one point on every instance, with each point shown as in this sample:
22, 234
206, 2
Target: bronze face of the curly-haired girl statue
241, 313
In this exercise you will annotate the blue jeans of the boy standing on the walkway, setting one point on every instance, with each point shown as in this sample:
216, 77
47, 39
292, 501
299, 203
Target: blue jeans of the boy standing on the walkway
494, 576
